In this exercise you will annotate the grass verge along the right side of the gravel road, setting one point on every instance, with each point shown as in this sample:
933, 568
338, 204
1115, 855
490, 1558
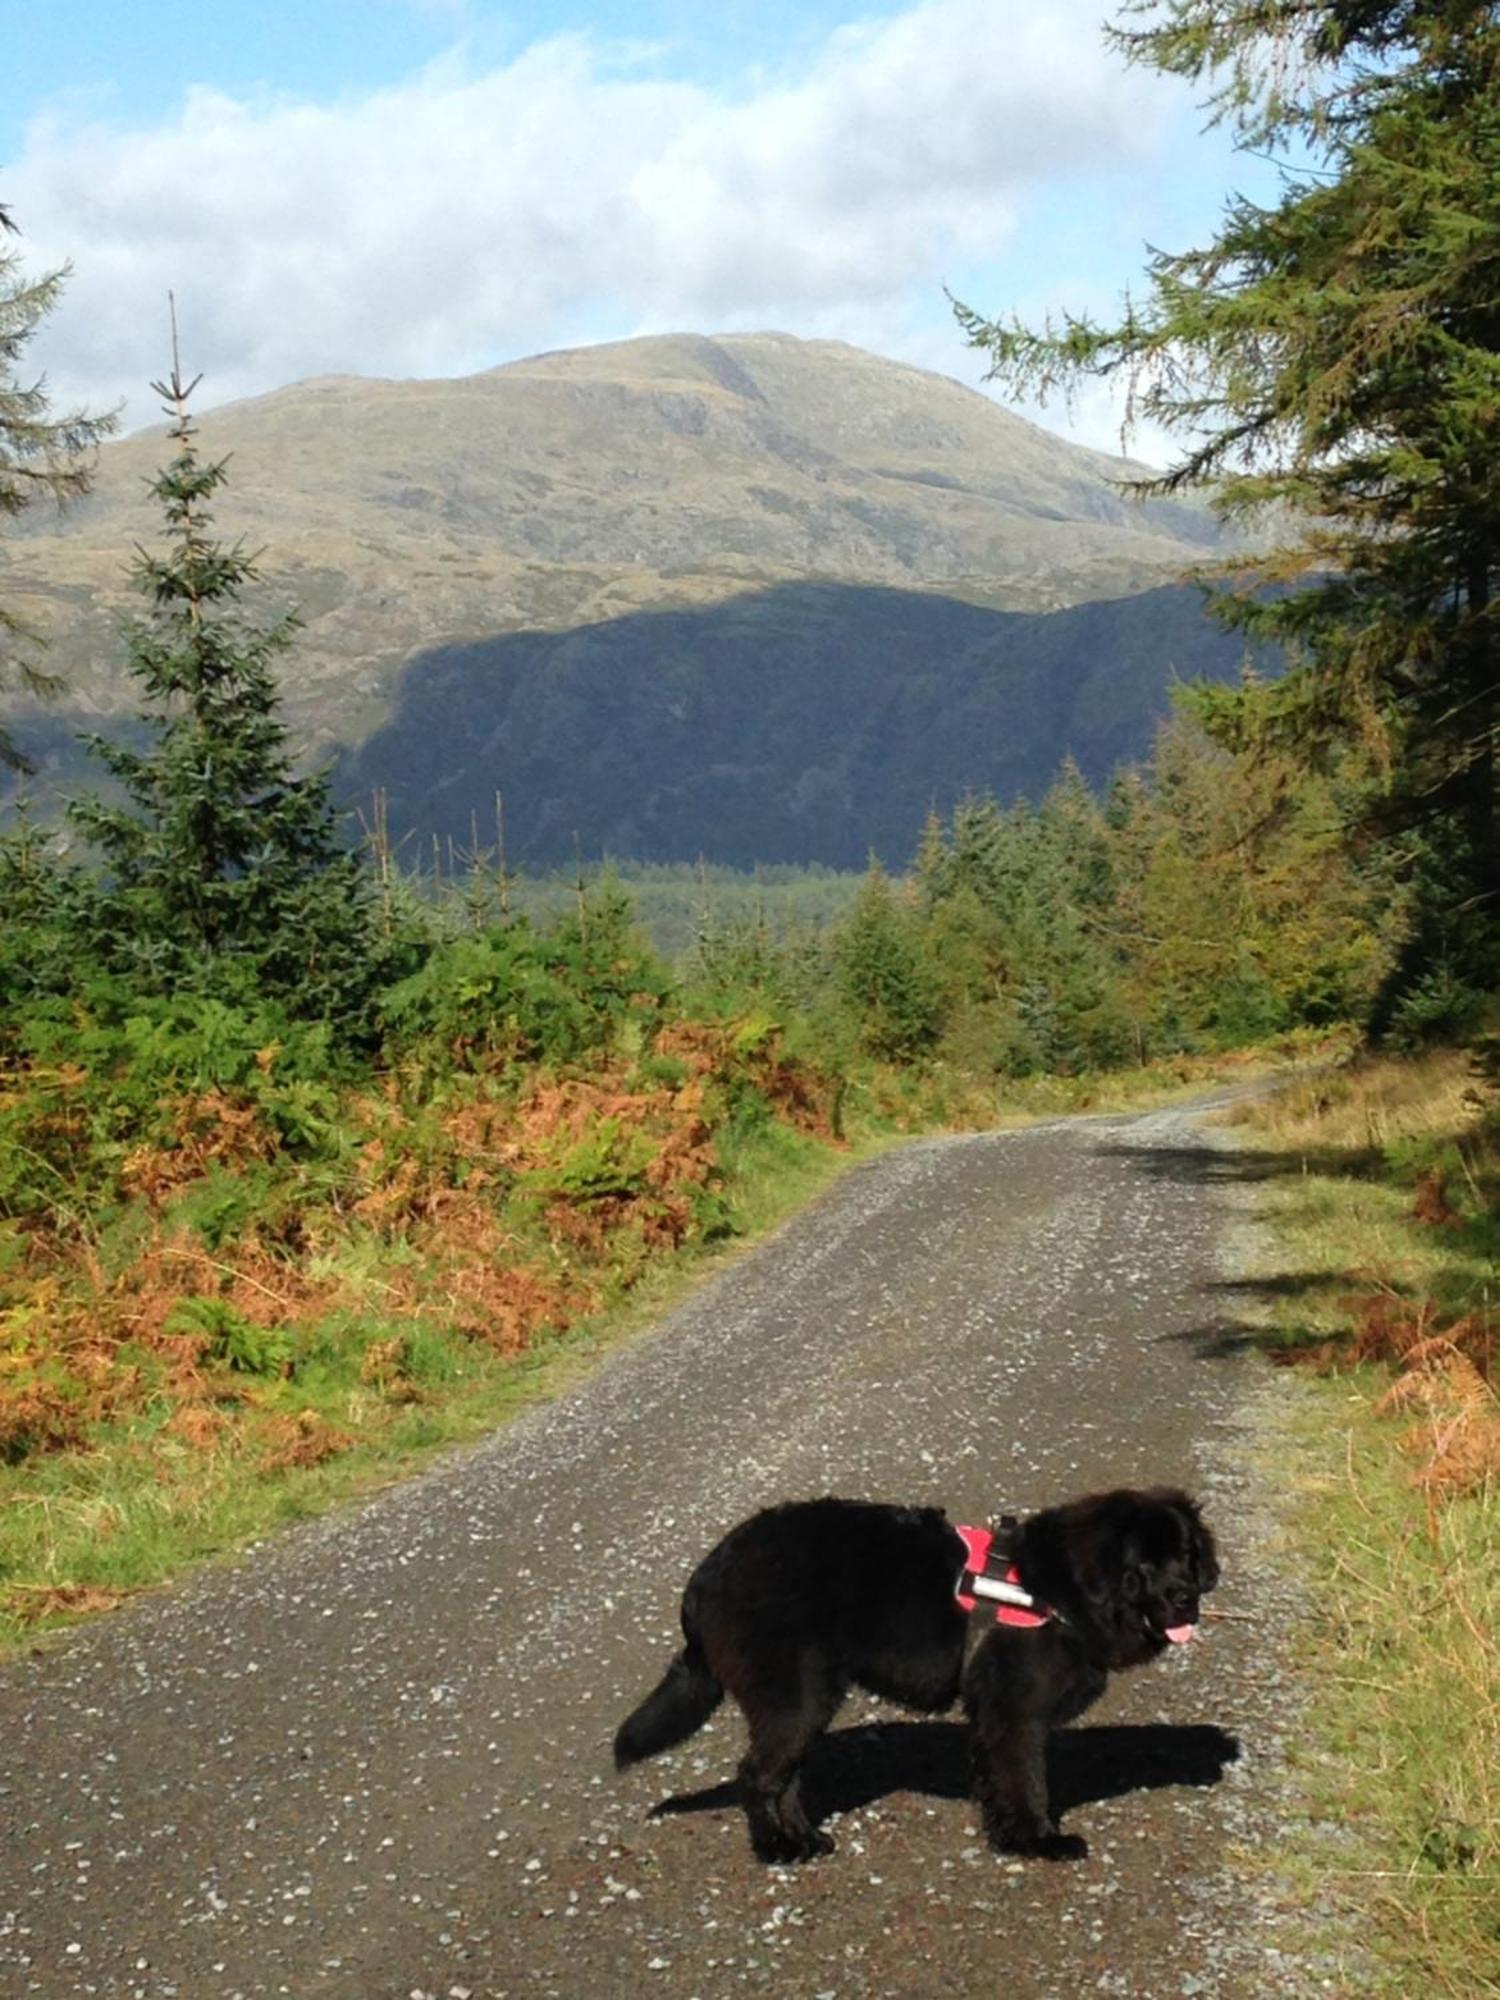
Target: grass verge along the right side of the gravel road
1379, 1187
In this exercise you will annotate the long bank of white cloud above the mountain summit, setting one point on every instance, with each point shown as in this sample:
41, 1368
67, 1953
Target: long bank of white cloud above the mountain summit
575, 193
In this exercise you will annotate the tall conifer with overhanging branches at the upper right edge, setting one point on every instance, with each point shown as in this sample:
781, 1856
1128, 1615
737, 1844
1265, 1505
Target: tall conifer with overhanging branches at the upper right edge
1331, 363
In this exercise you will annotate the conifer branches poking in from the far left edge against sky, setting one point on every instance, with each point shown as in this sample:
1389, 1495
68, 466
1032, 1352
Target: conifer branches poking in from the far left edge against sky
41, 455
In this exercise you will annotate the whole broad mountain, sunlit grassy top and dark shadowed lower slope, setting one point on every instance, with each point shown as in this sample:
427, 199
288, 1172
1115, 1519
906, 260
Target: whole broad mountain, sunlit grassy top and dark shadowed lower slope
663, 589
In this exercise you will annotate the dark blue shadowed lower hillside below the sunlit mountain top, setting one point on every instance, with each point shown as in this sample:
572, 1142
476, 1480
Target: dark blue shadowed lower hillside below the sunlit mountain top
807, 723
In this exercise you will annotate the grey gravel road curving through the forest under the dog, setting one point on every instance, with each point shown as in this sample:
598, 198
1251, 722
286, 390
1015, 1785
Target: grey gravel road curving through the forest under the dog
371, 1761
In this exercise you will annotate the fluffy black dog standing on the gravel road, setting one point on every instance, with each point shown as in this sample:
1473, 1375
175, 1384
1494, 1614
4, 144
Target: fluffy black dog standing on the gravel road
805, 1601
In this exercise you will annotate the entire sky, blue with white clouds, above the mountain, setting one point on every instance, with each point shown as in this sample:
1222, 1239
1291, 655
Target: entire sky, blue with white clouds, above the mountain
431, 187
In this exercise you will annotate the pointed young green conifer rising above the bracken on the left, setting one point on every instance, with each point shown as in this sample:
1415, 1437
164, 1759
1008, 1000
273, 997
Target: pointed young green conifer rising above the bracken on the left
223, 871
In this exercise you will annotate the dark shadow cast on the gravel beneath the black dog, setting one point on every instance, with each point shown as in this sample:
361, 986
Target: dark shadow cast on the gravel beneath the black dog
857, 1767
